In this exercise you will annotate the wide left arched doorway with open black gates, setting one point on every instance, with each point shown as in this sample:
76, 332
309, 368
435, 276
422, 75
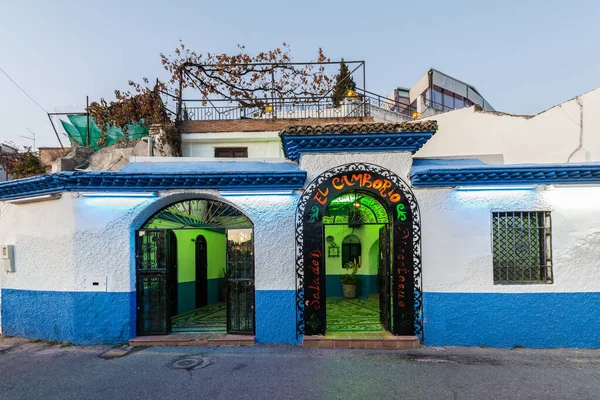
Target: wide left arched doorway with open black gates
195, 270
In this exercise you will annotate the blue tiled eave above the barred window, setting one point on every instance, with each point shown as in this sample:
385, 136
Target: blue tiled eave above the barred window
483, 174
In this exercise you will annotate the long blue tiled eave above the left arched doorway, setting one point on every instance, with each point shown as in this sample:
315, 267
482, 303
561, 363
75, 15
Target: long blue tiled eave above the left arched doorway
144, 177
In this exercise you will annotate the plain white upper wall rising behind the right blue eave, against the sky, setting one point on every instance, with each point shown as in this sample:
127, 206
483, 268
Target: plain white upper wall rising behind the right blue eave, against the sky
548, 137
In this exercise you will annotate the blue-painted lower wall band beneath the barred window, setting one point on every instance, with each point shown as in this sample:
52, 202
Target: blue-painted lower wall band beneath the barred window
536, 320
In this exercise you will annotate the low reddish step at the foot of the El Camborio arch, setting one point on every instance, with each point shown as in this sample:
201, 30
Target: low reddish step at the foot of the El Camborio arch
361, 341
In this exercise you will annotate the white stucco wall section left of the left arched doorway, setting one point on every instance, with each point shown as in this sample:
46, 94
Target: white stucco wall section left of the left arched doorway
60, 243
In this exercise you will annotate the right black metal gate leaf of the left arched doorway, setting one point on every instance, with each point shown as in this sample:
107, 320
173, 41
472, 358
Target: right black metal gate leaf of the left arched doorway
240, 281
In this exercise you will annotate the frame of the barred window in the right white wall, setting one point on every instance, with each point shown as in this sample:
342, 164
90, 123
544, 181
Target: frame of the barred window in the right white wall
549, 277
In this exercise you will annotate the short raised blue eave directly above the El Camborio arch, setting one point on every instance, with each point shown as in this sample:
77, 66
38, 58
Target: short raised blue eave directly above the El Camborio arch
296, 145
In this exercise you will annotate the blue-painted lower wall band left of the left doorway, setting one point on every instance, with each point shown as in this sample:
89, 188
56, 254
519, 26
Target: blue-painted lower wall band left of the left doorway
78, 317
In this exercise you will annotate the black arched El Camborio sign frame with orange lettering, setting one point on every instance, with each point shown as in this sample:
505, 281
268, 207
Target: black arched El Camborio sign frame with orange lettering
392, 192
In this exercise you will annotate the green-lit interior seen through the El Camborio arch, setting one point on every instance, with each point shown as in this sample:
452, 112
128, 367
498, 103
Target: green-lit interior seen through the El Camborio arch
355, 217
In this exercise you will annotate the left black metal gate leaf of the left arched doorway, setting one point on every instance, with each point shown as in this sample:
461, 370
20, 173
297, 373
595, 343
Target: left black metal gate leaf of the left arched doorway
154, 259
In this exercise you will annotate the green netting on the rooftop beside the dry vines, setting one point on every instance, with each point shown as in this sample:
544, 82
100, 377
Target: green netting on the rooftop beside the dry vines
77, 131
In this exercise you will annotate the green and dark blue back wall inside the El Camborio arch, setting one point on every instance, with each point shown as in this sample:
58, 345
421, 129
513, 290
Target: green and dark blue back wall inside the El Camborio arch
368, 273
